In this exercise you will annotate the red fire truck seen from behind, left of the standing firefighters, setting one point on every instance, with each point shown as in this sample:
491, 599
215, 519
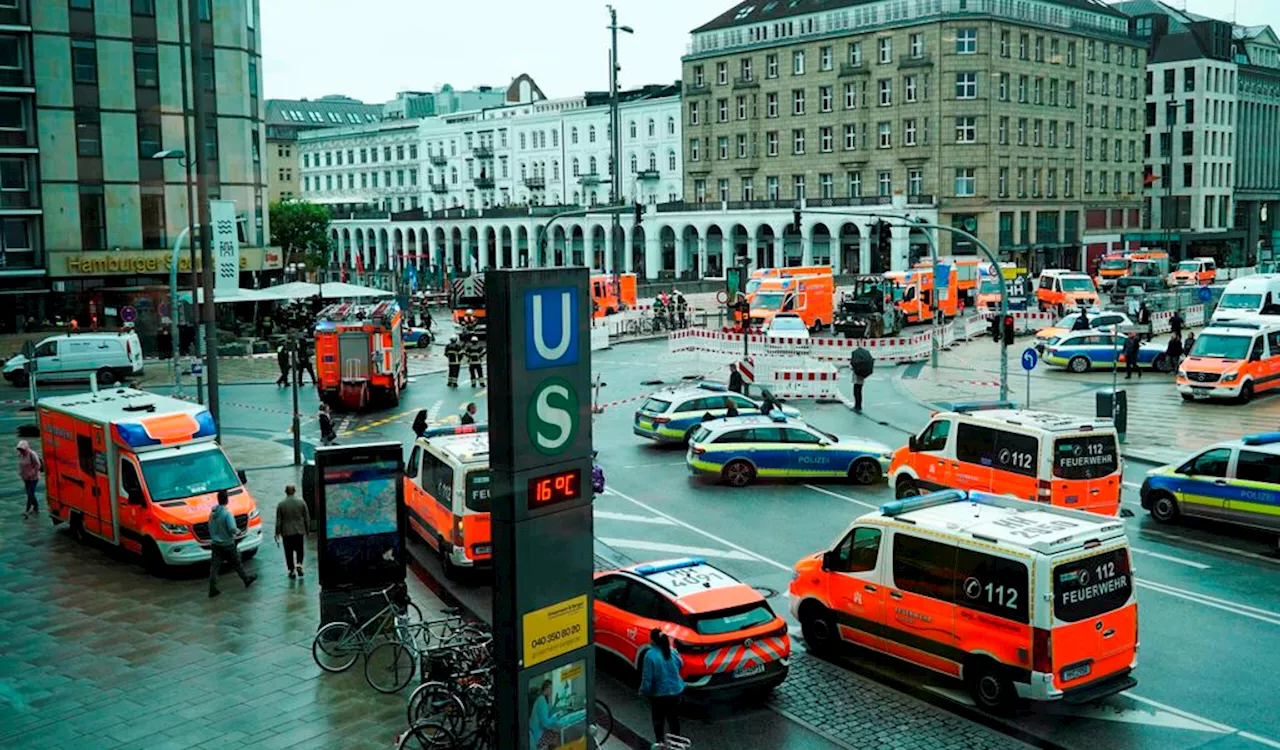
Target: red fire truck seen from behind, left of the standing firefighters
360, 355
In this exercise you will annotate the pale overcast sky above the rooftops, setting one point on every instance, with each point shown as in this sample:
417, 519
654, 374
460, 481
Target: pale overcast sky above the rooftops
372, 49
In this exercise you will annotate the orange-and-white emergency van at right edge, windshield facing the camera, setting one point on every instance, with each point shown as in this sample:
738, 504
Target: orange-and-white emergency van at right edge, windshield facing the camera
1232, 360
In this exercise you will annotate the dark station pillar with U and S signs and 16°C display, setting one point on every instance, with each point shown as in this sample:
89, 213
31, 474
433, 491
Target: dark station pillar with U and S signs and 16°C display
541, 465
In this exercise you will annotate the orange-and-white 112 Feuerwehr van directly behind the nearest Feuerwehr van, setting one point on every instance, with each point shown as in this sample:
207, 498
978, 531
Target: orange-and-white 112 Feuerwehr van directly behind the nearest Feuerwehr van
1059, 460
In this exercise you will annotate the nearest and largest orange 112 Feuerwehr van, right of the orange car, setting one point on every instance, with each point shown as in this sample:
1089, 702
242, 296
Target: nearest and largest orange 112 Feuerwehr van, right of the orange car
1020, 601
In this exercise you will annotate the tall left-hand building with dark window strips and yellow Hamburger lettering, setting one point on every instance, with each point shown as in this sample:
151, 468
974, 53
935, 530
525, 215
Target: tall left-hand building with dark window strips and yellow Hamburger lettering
93, 93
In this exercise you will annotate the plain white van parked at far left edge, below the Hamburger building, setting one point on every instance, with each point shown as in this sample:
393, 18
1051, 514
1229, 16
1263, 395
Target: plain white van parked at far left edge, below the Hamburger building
112, 356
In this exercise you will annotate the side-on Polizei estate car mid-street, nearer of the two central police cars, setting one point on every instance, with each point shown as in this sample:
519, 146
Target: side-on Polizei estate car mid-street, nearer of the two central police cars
742, 450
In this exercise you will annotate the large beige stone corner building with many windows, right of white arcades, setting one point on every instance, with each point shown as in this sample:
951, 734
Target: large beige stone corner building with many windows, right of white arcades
1018, 121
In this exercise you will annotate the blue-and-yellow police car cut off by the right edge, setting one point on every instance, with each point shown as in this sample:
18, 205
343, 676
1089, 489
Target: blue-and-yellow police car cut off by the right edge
1237, 482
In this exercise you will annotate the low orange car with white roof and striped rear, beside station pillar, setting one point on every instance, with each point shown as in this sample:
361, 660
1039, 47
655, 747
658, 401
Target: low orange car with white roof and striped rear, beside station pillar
725, 632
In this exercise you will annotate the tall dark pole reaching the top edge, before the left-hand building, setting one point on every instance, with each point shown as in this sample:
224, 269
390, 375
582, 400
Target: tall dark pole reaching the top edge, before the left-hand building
209, 312
